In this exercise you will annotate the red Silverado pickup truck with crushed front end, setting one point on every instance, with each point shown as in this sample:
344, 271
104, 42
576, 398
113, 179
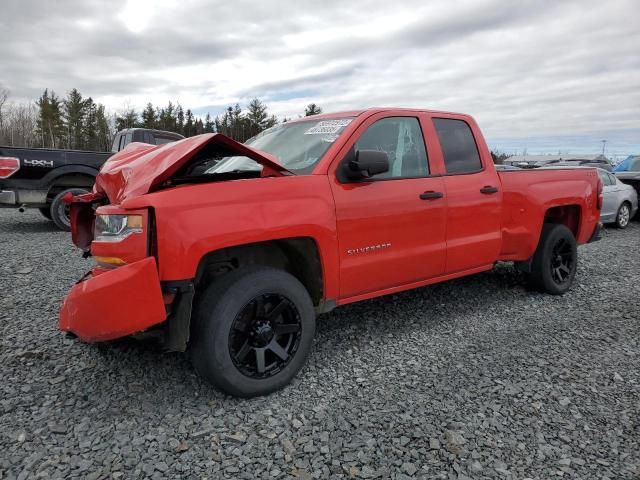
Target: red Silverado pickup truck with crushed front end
229, 251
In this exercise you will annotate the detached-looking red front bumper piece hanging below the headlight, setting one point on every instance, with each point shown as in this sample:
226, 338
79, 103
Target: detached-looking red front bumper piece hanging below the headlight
115, 303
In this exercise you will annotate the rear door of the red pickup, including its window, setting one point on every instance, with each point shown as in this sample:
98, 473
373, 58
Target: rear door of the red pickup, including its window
474, 197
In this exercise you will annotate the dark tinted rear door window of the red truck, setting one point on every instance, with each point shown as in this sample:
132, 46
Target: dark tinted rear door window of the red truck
458, 146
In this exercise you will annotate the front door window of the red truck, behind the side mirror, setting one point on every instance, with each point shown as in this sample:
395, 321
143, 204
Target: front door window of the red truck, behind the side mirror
401, 139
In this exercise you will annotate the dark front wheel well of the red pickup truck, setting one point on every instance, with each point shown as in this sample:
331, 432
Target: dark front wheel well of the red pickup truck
298, 256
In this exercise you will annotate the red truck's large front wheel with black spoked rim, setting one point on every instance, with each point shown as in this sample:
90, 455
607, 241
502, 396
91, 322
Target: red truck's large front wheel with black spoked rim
253, 331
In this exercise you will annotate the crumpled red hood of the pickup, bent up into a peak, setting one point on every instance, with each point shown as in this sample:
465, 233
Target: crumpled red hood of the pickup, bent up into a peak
139, 168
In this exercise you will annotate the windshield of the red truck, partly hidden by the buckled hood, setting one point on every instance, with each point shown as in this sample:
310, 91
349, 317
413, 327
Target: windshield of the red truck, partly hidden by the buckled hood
298, 146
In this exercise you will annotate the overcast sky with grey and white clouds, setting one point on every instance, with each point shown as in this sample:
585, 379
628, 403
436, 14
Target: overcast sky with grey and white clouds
524, 69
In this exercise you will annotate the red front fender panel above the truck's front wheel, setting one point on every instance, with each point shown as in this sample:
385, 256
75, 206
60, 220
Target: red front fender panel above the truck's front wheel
197, 219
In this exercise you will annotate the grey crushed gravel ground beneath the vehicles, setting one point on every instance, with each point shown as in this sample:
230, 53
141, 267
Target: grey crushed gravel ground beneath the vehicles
475, 378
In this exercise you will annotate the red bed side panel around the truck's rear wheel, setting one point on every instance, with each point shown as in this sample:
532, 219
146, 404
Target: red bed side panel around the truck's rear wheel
529, 194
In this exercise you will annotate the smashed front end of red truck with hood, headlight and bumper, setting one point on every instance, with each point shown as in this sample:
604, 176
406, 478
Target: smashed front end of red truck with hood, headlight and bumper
123, 293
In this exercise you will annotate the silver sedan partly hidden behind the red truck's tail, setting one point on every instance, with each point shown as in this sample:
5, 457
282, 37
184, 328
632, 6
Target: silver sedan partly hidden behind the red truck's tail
620, 200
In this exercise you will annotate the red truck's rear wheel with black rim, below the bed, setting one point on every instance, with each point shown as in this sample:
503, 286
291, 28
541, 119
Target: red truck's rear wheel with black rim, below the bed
555, 260
